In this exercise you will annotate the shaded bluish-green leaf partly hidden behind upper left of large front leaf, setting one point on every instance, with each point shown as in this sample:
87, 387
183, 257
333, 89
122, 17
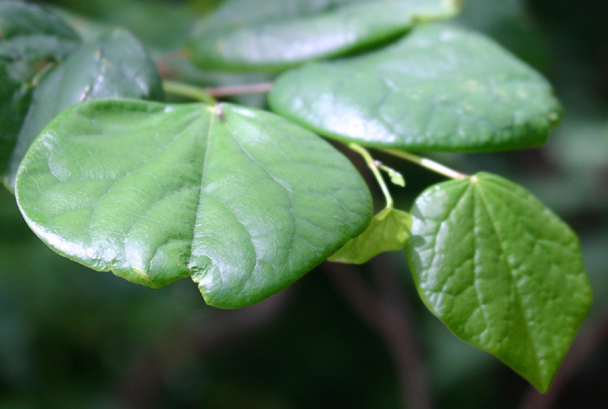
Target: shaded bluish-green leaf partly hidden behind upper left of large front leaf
114, 66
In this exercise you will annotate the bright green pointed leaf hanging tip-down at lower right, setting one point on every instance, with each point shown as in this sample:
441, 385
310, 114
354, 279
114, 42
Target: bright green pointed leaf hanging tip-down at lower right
501, 270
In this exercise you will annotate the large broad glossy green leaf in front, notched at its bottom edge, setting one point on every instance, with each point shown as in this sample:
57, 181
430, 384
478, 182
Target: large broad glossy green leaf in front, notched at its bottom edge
242, 200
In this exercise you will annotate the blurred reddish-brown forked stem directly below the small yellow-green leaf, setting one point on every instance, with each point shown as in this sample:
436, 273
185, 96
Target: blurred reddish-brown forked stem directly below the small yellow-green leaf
387, 312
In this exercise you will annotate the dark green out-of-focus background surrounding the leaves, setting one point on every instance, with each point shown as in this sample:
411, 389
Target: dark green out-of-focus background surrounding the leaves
342, 337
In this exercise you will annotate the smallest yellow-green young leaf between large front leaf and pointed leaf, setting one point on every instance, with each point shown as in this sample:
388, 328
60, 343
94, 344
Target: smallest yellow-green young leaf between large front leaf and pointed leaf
388, 231
